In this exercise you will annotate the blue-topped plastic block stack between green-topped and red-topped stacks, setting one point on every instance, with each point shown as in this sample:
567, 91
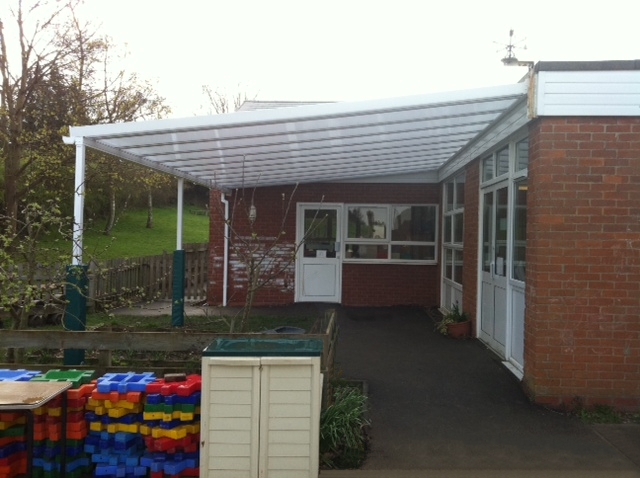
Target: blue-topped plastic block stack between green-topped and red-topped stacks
114, 413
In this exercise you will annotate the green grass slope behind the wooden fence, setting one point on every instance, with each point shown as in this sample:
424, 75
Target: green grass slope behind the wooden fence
131, 238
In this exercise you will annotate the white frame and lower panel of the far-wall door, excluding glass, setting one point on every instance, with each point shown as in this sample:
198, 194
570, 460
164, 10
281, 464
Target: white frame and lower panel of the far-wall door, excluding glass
319, 270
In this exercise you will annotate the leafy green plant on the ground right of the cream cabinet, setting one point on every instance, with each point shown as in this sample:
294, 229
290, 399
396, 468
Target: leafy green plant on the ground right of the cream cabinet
343, 441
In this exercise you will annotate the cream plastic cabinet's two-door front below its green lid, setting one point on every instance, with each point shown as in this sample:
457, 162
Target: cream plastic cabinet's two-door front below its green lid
260, 417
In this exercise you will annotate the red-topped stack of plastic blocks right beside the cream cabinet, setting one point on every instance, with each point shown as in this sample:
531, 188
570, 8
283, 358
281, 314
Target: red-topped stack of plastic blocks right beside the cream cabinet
172, 426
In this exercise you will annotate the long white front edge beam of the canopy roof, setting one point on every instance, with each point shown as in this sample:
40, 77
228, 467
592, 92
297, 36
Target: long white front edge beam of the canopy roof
278, 115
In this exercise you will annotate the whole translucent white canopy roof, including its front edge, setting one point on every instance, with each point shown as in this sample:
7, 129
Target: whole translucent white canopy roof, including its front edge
312, 143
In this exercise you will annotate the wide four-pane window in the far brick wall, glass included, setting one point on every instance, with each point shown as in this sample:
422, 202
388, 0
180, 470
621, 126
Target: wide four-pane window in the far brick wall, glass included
391, 232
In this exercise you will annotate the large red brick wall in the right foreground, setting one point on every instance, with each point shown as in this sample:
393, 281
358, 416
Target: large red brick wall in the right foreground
582, 325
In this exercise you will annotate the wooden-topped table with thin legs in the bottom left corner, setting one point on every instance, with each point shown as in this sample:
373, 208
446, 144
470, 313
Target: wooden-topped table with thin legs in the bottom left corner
26, 397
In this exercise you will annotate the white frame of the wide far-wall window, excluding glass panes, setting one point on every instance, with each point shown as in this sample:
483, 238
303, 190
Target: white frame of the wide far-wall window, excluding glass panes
387, 240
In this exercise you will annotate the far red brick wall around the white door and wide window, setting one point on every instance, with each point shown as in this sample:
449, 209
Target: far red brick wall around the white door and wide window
363, 284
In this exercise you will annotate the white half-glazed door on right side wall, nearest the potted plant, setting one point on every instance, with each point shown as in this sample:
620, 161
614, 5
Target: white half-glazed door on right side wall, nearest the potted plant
495, 253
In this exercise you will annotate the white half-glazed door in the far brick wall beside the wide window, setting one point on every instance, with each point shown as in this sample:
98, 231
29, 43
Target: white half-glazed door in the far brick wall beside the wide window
318, 268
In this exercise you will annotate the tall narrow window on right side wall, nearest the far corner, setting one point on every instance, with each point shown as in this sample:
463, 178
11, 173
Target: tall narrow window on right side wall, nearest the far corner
453, 233
